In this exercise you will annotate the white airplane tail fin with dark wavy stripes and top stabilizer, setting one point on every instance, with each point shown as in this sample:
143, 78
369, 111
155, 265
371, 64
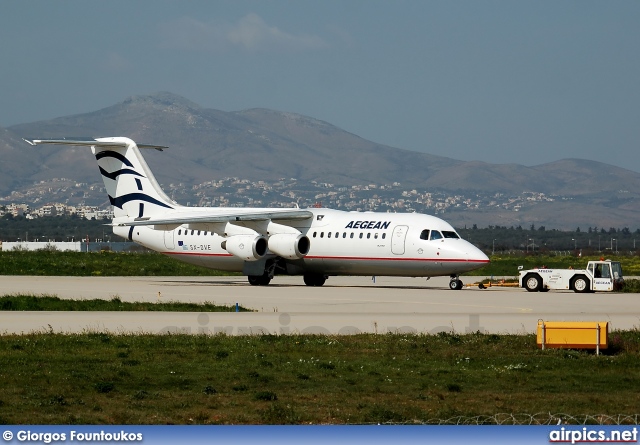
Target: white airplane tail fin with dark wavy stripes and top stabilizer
133, 190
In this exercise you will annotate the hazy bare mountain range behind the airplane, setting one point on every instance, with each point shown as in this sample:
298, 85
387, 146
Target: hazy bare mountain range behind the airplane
263, 144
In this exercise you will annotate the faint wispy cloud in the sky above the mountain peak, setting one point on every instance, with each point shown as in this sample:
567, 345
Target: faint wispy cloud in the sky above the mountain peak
251, 33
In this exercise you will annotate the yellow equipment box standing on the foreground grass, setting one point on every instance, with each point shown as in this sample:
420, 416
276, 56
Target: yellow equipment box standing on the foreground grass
573, 334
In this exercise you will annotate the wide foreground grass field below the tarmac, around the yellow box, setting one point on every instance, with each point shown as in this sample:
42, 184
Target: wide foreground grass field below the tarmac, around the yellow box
96, 378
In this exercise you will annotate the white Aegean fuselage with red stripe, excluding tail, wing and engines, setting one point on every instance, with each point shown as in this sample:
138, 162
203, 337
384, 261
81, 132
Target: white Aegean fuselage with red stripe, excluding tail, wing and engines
341, 243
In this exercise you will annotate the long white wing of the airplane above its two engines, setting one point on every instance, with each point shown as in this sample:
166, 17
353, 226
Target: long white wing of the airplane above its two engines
227, 215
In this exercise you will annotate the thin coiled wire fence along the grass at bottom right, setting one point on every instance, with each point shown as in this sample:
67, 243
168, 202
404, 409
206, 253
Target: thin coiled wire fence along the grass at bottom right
532, 419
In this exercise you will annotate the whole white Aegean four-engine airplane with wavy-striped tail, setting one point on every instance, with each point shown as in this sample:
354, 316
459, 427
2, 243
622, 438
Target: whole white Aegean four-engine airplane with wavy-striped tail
263, 242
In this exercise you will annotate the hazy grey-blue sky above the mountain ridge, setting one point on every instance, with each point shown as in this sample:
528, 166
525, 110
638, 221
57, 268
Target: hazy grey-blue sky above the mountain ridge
525, 82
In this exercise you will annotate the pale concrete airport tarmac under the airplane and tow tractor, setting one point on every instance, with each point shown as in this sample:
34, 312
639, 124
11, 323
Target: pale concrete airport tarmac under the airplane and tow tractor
344, 305
